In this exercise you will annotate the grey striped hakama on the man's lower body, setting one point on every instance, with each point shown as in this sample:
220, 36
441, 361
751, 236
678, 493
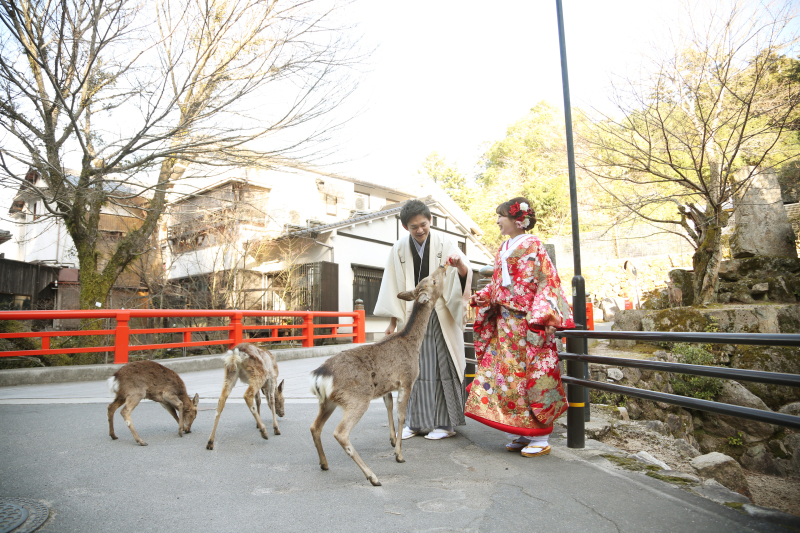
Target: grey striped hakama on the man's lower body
437, 396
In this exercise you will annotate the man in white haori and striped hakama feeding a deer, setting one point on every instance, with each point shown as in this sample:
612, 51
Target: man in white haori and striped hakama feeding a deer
436, 404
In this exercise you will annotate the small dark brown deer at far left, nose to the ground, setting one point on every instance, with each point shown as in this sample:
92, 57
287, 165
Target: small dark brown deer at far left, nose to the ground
147, 379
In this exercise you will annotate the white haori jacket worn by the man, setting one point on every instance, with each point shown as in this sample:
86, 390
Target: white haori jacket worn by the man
451, 308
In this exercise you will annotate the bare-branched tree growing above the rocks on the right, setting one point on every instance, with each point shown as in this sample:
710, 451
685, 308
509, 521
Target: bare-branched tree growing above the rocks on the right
705, 108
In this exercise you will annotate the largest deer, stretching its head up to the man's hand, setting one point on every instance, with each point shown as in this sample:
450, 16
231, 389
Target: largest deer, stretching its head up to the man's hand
353, 378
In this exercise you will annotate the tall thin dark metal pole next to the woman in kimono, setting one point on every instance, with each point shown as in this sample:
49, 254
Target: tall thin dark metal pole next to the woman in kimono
578, 406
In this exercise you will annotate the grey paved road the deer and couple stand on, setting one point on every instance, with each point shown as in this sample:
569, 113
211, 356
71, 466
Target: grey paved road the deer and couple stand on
55, 449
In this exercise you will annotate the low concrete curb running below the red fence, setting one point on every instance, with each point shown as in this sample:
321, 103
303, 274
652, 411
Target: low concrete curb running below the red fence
77, 373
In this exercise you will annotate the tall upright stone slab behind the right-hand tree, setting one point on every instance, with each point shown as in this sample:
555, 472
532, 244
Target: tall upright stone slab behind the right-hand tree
762, 227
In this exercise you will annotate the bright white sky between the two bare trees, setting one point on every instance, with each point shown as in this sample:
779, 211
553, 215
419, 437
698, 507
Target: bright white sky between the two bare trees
451, 76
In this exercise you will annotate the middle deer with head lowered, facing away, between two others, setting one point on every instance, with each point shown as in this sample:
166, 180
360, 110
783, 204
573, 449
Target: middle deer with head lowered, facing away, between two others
258, 369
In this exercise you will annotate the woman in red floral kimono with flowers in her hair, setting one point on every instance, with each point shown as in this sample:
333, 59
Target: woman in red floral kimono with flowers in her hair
517, 387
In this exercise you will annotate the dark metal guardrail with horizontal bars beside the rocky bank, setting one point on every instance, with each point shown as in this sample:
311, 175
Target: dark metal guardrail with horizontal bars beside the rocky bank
574, 378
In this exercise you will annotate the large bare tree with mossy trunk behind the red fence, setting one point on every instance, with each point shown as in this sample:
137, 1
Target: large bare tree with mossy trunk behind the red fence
109, 101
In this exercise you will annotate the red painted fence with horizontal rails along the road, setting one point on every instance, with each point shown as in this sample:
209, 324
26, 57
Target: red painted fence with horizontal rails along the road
236, 330
